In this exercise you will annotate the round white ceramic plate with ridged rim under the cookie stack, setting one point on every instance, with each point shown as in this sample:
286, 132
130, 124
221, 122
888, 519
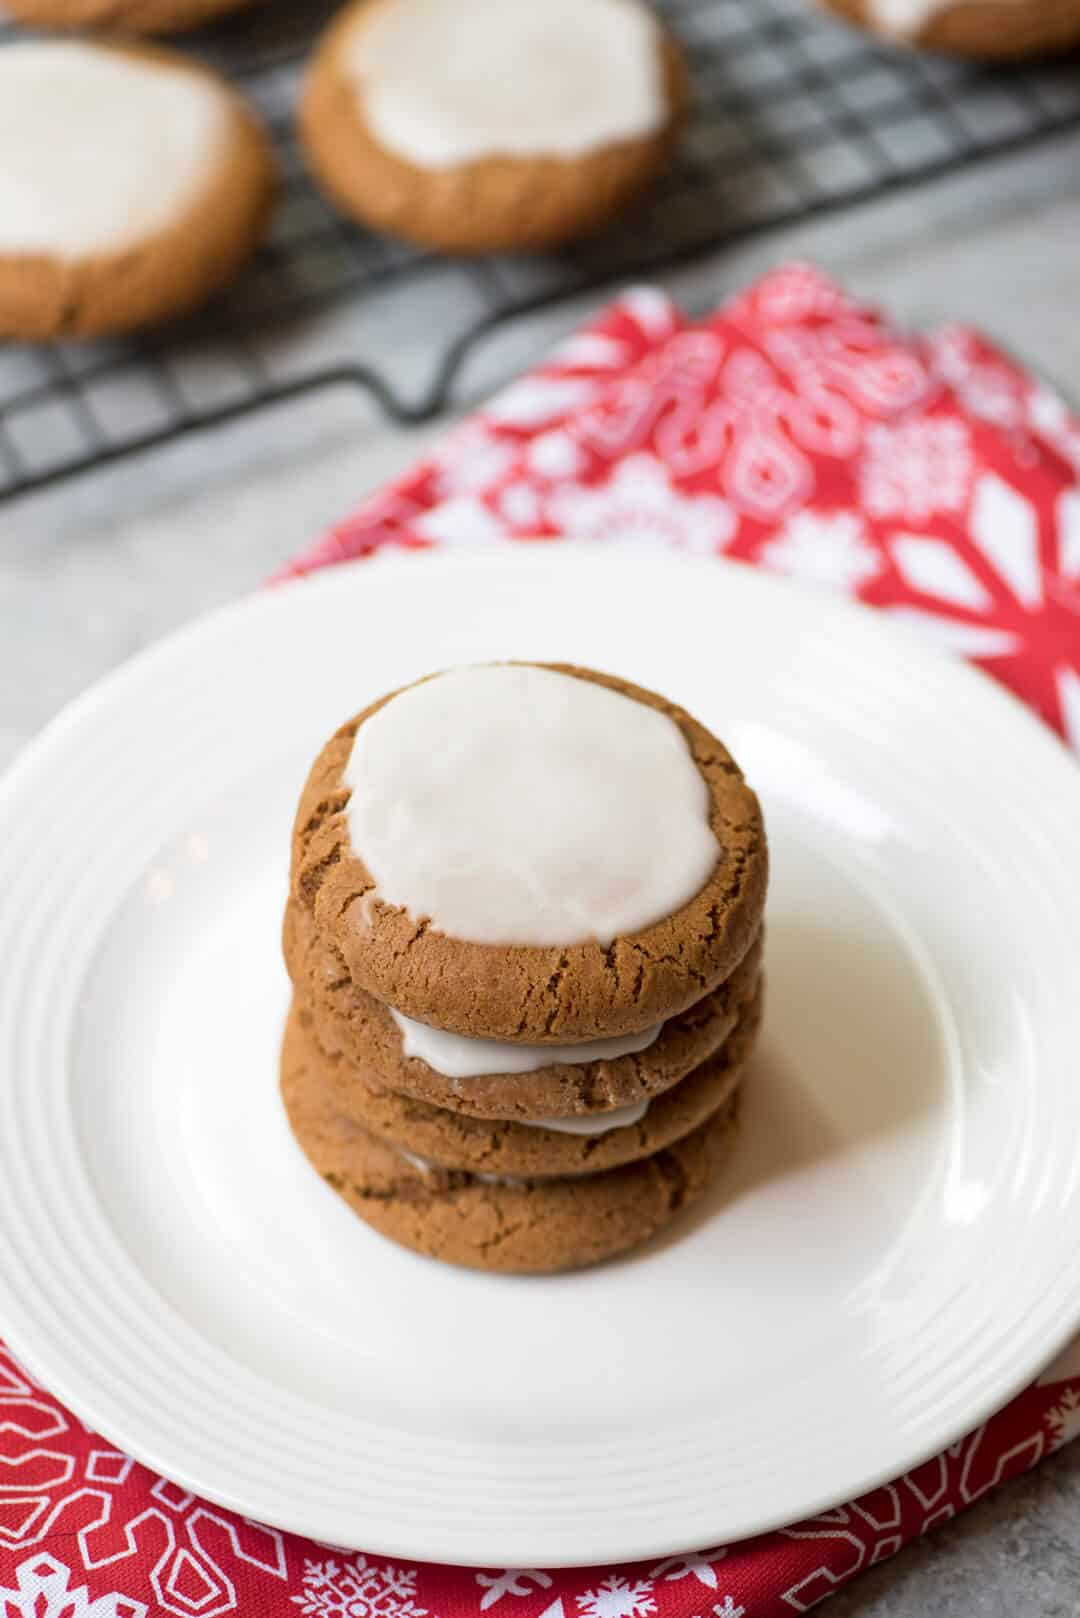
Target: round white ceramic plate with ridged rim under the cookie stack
891, 1255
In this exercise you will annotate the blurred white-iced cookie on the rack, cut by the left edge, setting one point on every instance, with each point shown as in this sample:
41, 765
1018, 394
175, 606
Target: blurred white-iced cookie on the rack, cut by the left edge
158, 192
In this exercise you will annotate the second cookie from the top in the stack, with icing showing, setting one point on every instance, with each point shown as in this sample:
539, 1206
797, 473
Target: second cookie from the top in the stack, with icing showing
498, 1078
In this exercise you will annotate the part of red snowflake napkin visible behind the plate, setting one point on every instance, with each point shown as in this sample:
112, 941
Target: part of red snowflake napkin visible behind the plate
796, 431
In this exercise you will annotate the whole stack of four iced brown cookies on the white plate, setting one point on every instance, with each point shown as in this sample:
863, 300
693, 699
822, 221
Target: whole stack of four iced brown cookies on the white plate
525, 944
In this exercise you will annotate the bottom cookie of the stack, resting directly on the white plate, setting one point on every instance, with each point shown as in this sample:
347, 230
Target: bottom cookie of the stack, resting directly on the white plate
512, 1227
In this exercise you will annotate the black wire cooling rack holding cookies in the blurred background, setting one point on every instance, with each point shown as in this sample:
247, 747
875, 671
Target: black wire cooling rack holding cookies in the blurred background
794, 116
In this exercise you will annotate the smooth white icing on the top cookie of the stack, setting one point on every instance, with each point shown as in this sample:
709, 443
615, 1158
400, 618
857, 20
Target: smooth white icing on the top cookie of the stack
514, 805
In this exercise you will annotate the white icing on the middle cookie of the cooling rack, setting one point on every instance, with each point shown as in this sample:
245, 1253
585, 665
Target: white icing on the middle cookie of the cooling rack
451, 82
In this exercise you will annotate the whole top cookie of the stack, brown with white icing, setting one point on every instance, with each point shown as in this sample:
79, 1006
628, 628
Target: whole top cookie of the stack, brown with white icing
530, 853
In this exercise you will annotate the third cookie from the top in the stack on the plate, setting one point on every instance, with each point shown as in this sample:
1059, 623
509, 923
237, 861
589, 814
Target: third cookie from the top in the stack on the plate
456, 1141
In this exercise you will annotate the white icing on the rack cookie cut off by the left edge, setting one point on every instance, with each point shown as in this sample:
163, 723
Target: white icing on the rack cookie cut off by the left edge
96, 148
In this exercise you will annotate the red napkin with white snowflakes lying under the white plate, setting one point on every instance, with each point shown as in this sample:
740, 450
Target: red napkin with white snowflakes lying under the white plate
797, 433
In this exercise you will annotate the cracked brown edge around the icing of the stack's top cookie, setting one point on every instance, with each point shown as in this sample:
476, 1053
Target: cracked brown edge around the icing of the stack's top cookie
522, 993
